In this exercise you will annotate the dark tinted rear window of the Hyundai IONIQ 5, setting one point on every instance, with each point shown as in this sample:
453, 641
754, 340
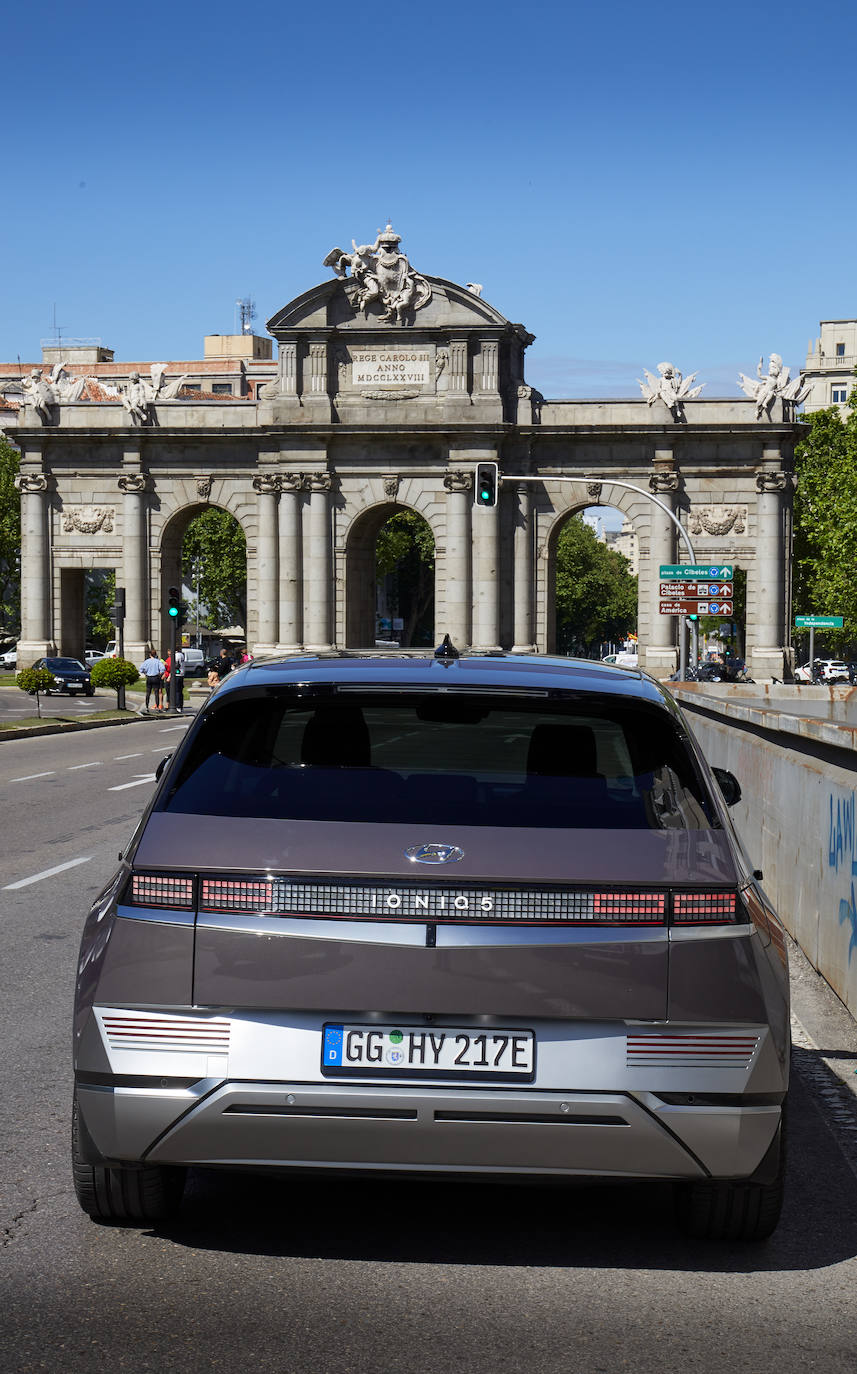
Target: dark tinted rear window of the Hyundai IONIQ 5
442, 759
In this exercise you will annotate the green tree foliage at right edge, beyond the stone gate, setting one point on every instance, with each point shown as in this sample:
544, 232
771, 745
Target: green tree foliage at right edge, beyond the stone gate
826, 524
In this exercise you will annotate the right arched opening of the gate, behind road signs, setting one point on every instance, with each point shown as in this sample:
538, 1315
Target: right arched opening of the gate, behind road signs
593, 583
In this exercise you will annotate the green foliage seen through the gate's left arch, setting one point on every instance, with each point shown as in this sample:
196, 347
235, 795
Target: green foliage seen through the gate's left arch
215, 548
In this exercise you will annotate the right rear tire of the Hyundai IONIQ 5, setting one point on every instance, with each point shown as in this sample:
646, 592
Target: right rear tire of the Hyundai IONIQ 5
727, 1210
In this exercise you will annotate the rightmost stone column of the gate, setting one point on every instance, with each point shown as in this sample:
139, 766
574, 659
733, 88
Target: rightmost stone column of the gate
767, 600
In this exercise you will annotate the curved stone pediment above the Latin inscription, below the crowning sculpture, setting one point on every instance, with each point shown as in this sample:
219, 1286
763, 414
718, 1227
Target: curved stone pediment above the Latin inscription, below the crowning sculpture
334, 306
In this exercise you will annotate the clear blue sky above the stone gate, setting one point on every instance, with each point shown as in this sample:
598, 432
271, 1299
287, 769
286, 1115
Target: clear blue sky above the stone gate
634, 183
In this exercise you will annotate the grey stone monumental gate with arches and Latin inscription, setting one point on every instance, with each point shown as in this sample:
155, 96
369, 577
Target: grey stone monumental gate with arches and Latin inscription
367, 416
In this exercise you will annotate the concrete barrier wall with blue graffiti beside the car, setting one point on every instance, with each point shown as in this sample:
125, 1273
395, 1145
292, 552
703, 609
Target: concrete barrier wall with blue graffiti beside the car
797, 821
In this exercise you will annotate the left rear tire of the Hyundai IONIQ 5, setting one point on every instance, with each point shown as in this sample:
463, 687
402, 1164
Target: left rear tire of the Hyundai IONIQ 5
123, 1193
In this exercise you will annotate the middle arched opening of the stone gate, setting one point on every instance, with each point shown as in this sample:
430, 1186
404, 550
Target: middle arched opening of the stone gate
391, 571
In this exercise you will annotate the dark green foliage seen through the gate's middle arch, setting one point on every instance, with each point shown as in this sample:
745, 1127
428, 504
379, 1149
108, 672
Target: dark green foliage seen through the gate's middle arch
404, 554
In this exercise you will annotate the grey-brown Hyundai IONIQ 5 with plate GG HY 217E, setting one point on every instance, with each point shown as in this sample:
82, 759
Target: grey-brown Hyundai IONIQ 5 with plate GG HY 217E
455, 917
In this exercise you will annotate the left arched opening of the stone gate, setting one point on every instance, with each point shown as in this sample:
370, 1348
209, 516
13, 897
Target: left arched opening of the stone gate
204, 553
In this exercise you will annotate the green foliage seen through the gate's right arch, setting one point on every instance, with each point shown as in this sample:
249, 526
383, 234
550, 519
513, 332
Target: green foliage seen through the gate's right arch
597, 593
